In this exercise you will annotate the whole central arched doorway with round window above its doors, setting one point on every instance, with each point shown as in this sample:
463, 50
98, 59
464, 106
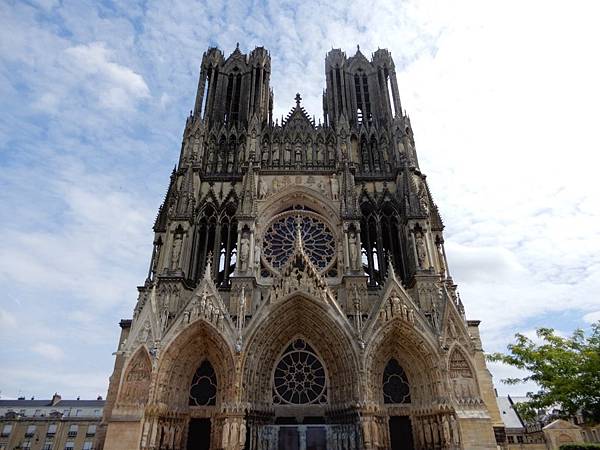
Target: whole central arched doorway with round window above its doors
301, 373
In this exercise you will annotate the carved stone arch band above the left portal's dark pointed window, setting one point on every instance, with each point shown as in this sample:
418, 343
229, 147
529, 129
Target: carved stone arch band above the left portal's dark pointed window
179, 361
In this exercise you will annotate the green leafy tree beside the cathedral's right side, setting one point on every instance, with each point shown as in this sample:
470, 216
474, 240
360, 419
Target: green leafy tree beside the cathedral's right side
566, 370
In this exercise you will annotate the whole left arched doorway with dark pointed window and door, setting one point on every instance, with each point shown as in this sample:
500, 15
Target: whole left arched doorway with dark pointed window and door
195, 377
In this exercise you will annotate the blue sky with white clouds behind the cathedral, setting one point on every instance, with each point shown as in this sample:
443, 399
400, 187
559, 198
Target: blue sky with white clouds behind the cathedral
503, 98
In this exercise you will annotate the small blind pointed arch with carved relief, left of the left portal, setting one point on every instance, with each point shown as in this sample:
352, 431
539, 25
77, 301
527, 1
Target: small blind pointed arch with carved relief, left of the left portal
135, 387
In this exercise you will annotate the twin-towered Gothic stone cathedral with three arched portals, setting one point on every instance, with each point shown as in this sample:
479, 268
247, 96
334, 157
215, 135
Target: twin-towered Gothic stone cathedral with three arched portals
299, 296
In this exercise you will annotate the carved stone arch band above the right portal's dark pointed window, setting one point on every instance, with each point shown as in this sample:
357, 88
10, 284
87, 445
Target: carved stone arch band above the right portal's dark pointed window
417, 357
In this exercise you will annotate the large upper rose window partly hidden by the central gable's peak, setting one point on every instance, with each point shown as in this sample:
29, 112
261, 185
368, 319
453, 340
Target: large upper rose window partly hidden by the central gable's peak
317, 238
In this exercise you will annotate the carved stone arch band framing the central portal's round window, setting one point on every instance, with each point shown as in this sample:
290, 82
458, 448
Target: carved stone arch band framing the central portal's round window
316, 323
